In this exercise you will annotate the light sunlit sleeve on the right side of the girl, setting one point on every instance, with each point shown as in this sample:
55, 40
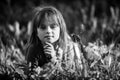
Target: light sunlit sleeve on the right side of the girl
73, 59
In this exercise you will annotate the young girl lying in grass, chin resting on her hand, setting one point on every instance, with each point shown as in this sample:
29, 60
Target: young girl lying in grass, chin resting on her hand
50, 45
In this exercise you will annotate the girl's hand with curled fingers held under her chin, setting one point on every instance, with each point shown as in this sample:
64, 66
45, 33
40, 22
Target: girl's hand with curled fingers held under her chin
49, 51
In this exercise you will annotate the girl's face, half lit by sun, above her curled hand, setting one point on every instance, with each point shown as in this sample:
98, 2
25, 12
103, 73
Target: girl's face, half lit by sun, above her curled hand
49, 30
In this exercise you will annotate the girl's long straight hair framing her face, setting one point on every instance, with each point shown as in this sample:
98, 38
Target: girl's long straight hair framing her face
39, 14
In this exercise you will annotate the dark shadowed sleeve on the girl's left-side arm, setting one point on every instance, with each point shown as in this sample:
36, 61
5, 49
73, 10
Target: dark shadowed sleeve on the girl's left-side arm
35, 56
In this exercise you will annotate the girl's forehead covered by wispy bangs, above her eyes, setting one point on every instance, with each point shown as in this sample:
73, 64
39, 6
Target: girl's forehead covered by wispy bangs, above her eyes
50, 19
